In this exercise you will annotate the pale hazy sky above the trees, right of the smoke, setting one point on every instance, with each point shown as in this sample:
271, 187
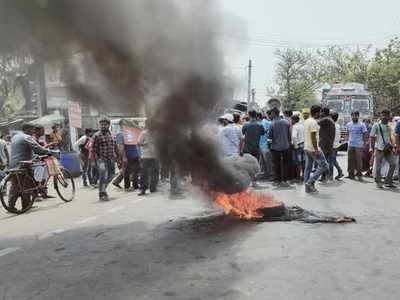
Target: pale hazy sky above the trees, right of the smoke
255, 29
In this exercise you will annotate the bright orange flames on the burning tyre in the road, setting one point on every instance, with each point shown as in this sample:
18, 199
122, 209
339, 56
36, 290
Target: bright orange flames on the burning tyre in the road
246, 204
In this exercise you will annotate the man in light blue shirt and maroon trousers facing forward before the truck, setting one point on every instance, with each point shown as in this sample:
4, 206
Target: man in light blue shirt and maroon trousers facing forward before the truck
357, 138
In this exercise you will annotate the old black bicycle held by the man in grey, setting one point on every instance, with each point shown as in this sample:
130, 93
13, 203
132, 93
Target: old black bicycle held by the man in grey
19, 189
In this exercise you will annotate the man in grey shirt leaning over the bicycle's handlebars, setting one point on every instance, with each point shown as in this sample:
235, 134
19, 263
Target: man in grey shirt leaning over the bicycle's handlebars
23, 148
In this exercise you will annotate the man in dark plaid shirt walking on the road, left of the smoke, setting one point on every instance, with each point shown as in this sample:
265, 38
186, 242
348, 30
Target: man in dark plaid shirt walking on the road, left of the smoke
105, 152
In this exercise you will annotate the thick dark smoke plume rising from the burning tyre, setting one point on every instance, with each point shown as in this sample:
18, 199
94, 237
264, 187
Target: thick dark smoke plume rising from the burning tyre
153, 54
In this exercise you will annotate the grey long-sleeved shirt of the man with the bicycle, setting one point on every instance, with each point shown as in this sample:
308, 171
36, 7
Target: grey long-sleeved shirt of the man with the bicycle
23, 147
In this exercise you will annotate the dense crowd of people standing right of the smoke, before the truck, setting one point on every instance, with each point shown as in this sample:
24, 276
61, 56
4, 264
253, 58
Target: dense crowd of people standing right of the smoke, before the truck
303, 147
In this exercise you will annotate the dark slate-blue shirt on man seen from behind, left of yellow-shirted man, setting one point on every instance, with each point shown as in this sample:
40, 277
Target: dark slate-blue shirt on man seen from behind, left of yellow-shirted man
279, 135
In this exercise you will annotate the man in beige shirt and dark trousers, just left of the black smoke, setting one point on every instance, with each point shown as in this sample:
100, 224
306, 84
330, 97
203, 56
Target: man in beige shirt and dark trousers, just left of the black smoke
149, 175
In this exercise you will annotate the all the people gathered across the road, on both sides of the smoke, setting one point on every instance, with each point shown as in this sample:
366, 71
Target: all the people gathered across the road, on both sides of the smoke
290, 148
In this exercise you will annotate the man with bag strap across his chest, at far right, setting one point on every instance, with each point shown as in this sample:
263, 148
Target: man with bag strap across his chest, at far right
382, 144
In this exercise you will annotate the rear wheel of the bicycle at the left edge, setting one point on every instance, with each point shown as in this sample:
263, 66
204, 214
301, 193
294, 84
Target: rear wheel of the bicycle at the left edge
18, 192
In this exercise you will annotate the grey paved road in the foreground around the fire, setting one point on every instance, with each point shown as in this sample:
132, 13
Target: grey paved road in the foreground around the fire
157, 248
